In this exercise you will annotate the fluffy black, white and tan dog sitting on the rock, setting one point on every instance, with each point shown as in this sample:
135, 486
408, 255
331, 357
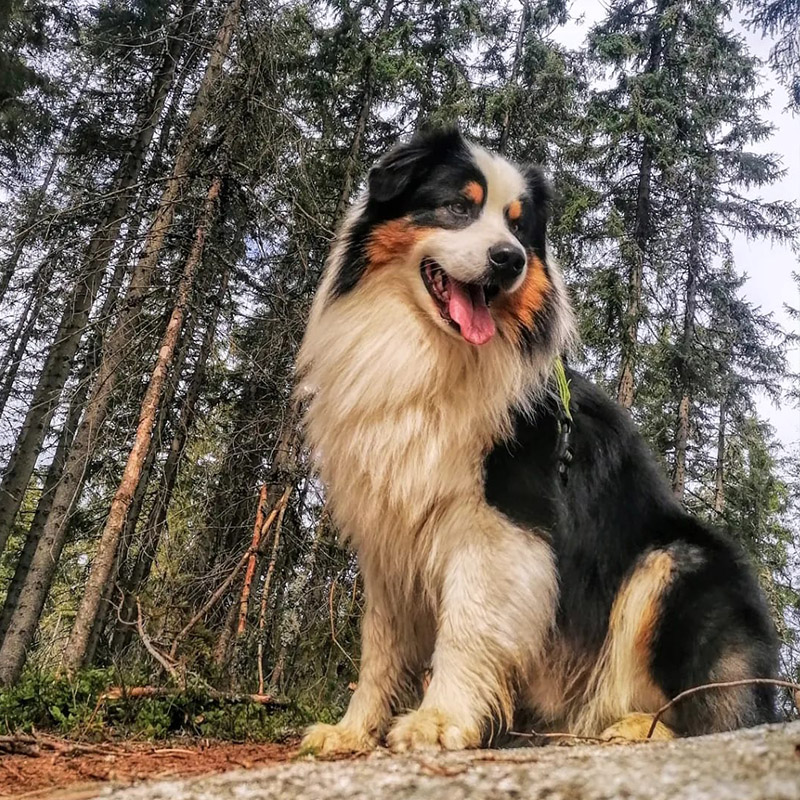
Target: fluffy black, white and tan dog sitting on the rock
519, 543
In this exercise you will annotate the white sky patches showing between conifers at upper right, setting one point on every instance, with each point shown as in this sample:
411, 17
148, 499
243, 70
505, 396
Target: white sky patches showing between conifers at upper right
768, 267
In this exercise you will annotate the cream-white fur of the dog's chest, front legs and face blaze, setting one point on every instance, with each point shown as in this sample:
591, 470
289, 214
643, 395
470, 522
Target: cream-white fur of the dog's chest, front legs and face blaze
400, 415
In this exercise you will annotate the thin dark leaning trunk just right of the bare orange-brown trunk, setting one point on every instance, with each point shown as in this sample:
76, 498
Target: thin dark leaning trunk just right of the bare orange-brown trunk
157, 518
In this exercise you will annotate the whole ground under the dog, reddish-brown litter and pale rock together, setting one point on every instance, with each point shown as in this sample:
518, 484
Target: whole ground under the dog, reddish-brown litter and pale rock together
757, 764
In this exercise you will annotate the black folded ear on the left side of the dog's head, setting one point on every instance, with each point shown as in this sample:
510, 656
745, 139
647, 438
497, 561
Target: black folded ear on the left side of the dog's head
406, 164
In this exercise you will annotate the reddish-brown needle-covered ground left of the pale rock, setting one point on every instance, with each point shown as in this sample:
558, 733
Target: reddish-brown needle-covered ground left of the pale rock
60, 769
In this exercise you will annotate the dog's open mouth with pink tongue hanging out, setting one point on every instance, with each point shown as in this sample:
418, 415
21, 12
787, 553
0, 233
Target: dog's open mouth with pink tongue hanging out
464, 306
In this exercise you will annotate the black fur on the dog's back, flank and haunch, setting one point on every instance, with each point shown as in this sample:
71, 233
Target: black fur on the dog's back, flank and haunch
614, 507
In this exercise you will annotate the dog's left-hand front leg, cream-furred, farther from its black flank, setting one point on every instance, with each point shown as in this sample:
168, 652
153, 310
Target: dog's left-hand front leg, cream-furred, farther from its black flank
388, 655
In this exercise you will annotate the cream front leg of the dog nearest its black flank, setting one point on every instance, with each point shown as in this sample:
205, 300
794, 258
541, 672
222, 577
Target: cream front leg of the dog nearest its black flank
497, 606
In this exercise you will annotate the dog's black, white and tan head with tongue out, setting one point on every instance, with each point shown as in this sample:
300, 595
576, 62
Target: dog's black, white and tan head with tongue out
462, 231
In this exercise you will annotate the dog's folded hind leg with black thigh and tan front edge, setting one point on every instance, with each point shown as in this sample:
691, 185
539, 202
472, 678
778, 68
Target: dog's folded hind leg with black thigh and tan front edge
687, 616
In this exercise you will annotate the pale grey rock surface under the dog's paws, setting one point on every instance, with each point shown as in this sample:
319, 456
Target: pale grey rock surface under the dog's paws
757, 764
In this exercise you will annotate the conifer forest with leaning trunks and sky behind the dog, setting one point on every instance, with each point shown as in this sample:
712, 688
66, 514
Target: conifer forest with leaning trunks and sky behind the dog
171, 174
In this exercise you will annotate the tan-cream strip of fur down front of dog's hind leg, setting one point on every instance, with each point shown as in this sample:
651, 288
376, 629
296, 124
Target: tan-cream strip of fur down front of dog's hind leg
621, 682
